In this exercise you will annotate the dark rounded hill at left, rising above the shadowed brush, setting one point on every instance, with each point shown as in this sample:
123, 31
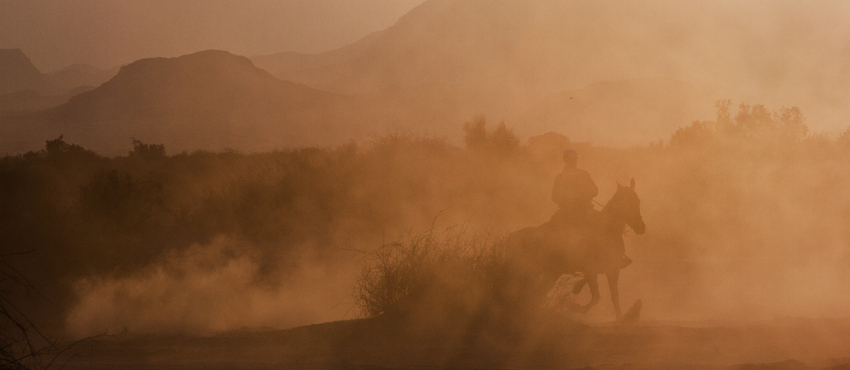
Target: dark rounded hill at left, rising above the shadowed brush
207, 100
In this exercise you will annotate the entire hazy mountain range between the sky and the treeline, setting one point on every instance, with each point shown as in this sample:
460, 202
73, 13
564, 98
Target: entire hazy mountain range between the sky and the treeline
447, 61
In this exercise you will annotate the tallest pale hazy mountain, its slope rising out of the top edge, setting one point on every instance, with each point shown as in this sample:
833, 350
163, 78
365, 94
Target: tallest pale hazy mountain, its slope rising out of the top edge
500, 57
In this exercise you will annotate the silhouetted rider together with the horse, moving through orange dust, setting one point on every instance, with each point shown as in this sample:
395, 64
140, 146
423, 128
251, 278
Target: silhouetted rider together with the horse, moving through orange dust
577, 240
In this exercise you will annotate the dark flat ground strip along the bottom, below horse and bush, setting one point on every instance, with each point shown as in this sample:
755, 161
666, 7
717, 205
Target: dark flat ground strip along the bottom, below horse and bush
547, 343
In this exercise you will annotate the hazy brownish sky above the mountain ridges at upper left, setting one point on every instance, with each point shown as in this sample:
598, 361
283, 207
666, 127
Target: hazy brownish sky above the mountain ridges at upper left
108, 33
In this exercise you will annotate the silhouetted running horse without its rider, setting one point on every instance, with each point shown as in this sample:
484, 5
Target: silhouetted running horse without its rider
540, 255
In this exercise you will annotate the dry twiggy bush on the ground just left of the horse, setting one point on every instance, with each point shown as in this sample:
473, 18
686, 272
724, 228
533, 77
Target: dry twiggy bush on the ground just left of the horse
449, 273
